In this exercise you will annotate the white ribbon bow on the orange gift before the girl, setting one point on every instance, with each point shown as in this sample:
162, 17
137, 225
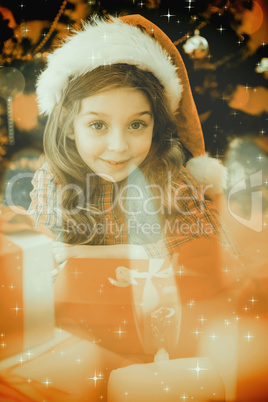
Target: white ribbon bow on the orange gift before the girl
150, 298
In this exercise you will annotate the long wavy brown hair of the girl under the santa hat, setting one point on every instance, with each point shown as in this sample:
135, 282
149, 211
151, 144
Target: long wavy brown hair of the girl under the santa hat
61, 153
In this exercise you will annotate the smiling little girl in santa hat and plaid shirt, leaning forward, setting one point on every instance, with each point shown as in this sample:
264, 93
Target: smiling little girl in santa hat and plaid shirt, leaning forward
121, 123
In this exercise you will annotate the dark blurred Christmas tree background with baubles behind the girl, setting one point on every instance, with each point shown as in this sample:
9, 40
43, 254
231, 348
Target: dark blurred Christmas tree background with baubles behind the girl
223, 45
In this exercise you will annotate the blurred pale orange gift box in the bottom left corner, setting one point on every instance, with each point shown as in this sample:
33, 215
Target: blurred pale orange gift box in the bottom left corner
66, 368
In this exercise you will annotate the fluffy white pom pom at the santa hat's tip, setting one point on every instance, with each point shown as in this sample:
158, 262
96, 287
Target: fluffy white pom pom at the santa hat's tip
209, 173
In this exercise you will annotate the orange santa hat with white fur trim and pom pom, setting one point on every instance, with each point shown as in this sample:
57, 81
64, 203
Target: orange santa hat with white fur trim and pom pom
134, 40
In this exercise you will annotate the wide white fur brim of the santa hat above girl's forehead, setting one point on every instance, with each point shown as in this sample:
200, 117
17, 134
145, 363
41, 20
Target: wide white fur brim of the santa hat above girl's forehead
103, 43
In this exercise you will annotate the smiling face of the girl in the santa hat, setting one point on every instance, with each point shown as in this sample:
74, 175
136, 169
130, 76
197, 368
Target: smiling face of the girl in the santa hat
113, 132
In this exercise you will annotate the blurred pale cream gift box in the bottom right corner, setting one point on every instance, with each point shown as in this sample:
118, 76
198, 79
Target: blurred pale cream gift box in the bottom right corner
239, 352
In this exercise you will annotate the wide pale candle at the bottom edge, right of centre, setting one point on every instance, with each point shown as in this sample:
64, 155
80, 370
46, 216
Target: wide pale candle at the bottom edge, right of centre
166, 381
